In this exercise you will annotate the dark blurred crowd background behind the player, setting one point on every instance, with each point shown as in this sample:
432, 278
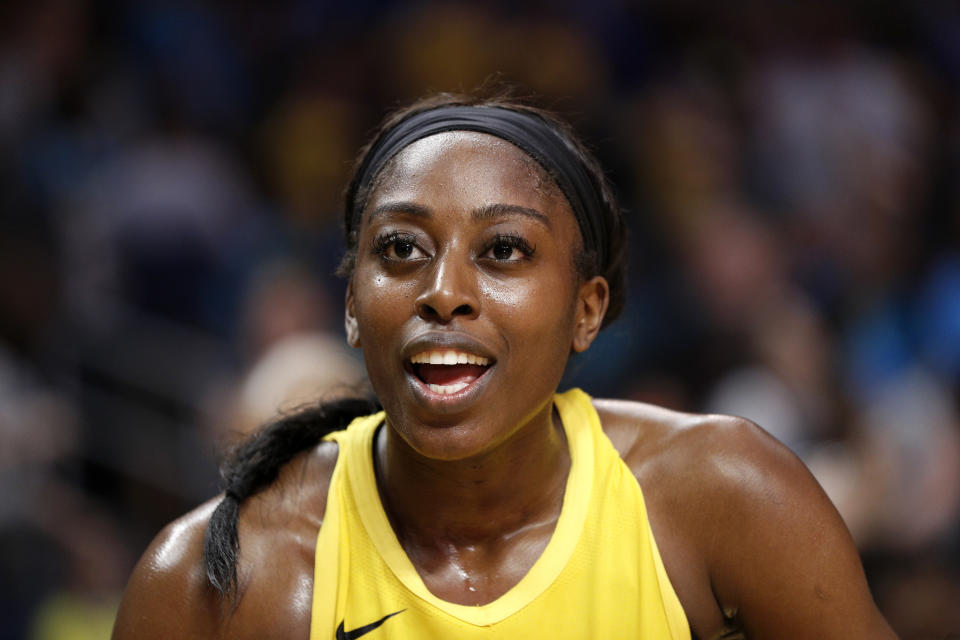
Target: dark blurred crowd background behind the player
170, 179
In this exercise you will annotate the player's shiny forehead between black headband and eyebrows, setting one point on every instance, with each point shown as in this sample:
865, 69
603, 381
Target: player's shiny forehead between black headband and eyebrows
464, 166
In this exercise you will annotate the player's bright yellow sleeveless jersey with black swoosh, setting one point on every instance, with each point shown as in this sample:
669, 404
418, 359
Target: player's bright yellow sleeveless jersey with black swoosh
600, 575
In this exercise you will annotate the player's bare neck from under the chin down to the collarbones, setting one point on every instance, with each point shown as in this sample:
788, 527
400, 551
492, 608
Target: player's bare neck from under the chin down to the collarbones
480, 501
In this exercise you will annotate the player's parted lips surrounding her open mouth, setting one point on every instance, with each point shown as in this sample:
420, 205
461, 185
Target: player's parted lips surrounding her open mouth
447, 402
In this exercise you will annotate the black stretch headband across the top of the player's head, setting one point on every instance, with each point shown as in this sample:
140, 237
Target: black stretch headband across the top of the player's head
525, 130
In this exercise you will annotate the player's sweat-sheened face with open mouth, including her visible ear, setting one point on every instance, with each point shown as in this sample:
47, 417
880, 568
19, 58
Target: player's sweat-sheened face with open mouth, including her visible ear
465, 298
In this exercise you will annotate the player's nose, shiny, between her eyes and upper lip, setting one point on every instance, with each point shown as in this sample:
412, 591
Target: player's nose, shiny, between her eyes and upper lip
449, 291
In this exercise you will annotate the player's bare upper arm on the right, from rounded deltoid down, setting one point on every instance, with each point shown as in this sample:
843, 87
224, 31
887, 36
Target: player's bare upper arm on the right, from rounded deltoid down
777, 551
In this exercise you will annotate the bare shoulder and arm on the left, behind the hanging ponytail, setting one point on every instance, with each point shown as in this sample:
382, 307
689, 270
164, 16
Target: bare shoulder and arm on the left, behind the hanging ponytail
168, 595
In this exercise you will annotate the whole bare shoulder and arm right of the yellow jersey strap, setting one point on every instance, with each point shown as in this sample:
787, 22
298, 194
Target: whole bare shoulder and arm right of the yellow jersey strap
748, 537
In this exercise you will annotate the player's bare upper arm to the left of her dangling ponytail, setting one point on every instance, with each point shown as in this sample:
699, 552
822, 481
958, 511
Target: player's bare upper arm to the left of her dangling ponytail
167, 595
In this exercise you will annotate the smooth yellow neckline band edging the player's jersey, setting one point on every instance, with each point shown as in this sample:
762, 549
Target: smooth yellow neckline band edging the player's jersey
579, 419
